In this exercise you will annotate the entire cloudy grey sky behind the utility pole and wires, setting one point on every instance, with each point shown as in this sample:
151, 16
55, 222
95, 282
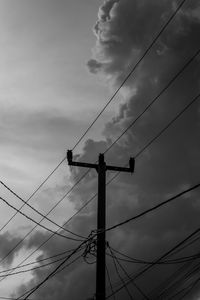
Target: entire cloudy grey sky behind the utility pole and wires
61, 61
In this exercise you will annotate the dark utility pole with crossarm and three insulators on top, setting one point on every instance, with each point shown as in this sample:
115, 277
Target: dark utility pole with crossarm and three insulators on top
101, 169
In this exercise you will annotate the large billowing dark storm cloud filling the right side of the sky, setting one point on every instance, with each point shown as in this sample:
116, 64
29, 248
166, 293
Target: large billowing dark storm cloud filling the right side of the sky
171, 164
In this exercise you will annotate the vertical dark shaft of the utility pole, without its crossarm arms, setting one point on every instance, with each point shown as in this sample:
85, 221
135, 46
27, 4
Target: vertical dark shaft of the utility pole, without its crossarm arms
101, 237
